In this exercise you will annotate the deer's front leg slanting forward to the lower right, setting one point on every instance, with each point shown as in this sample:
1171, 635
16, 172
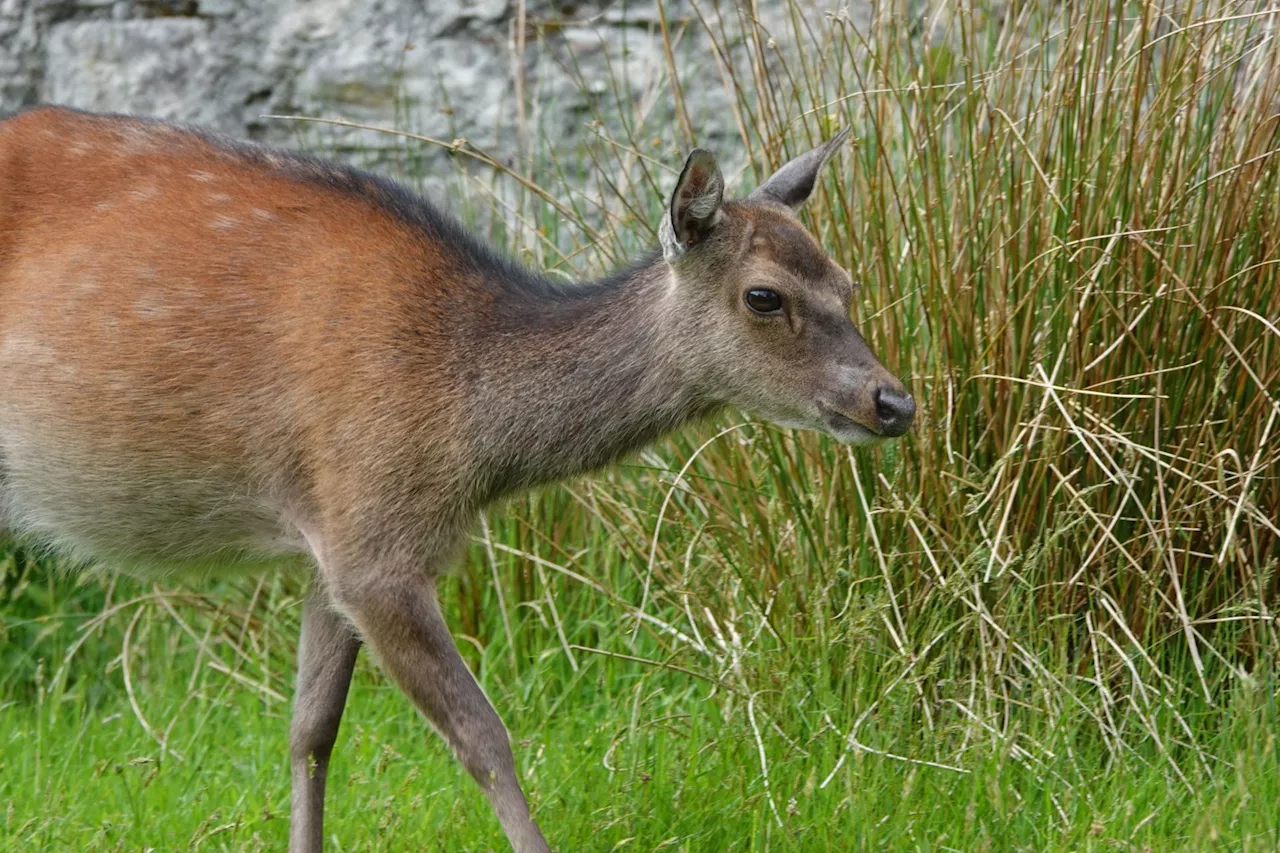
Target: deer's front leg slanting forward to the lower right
400, 619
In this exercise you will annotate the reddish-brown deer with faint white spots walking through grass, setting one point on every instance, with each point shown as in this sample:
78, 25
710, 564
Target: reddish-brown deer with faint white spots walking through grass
218, 355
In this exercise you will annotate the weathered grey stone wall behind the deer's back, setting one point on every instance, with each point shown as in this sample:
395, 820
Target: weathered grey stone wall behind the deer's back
445, 69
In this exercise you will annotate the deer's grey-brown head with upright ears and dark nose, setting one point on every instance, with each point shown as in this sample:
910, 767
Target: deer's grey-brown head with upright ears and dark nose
770, 311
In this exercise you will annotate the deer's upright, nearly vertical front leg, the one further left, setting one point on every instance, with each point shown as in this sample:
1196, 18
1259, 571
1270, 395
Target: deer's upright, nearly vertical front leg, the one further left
327, 656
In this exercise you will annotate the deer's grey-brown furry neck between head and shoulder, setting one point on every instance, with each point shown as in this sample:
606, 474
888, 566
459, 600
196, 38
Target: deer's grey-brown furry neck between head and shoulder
577, 376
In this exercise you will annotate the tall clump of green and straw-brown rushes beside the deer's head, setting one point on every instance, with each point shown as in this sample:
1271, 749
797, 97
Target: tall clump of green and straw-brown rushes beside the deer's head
1067, 223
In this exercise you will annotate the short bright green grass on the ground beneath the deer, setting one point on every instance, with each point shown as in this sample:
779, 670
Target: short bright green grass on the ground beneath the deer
616, 756
